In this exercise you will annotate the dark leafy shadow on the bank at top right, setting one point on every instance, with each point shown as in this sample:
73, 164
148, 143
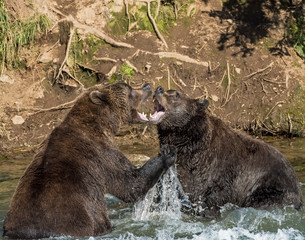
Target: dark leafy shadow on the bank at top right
251, 20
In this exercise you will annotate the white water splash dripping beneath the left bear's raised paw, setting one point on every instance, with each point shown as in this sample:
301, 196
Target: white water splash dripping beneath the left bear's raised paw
162, 201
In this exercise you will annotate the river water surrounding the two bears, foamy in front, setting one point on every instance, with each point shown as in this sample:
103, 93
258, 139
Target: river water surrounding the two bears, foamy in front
234, 223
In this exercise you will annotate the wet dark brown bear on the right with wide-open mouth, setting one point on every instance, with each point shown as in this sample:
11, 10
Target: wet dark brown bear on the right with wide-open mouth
218, 165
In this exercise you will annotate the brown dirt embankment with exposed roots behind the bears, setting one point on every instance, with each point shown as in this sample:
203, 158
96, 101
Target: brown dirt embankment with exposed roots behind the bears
203, 52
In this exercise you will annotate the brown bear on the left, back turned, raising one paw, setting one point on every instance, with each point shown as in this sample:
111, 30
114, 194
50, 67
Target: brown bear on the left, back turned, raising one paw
62, 191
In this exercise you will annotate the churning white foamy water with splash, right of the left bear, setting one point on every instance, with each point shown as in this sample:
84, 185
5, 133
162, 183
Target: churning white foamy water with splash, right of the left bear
162, 220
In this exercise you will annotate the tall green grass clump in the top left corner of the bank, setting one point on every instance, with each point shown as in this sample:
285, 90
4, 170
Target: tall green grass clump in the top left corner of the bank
16, 34
